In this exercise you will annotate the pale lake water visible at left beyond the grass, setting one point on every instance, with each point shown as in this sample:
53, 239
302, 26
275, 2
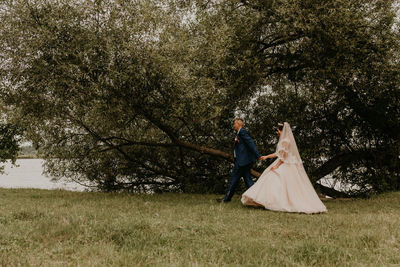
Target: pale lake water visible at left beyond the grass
29, 174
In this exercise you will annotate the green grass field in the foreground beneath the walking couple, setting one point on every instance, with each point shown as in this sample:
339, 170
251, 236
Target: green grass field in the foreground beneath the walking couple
58, 228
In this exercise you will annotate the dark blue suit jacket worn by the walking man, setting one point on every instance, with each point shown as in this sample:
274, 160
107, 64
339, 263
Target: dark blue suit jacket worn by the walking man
245, 150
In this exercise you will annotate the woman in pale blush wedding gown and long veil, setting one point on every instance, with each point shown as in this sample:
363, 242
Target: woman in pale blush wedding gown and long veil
284, 185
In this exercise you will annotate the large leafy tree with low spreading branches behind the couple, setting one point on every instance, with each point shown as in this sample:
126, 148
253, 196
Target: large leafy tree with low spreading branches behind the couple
141, 95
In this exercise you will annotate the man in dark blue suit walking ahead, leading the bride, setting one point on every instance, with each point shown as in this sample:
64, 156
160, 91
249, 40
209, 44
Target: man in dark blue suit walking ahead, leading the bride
245, 154
